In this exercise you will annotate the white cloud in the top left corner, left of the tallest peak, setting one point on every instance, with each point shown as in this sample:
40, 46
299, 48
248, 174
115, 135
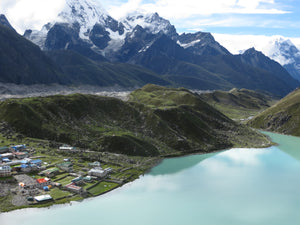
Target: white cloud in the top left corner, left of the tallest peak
24, 14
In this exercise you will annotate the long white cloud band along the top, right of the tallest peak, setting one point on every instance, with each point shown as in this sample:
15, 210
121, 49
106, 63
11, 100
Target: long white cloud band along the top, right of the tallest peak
179, 9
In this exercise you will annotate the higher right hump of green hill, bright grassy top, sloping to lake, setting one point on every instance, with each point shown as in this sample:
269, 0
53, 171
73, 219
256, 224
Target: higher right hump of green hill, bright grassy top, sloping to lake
187, 114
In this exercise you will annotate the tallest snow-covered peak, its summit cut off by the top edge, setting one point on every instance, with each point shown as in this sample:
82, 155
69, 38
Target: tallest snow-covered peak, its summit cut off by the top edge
84, 26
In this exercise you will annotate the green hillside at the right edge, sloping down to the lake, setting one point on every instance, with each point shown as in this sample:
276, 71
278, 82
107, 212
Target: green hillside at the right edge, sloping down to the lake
283, 117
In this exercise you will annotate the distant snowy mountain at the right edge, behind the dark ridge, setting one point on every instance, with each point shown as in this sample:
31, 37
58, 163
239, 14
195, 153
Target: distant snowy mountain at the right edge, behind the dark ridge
286, 53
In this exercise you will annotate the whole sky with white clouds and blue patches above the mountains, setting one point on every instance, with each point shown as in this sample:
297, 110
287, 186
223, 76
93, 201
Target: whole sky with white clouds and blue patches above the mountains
239, 17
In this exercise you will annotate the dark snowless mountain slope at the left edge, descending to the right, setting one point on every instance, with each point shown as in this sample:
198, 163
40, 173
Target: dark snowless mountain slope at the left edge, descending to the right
22, 62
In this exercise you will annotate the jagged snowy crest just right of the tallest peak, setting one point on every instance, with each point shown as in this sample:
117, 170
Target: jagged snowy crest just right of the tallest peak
149, 21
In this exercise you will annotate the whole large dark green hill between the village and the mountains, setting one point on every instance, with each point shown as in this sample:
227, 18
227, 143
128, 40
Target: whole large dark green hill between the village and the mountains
176, 121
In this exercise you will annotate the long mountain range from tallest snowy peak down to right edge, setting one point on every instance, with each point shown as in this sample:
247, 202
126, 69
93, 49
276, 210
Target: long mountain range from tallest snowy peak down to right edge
193, 60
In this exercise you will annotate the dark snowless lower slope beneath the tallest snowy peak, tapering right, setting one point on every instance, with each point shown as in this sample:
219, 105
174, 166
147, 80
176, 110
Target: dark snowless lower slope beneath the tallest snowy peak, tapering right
82, 70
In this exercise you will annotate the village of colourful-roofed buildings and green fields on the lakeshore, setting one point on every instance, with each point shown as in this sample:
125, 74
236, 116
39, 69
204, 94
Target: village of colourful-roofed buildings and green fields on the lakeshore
38, 178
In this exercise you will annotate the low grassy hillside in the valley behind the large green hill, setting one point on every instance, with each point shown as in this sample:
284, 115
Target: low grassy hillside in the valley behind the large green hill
239, 104
